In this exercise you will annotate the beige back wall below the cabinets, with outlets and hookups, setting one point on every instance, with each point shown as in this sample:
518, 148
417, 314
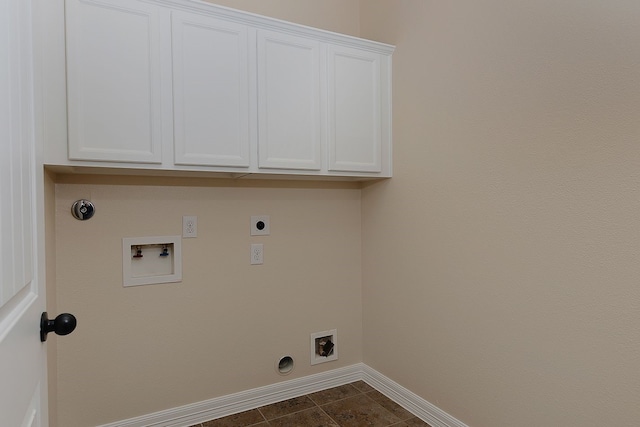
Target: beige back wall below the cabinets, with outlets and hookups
222, 329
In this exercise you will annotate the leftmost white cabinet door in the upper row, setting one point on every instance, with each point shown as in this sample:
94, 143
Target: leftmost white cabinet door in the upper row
114, 81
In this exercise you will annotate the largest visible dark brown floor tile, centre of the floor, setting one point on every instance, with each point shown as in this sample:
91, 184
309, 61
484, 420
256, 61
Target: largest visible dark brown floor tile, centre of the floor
359, 411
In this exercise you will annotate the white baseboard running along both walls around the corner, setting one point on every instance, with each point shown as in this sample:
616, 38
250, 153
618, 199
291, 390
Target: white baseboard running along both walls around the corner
195, 413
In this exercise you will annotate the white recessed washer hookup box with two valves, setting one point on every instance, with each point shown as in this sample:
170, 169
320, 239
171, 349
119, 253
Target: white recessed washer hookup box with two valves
151, 260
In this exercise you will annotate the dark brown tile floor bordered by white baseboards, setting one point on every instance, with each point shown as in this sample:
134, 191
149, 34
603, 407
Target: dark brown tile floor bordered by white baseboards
350, 405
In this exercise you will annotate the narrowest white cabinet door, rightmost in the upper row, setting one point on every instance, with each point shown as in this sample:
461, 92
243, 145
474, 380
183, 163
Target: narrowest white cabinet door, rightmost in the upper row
355, 143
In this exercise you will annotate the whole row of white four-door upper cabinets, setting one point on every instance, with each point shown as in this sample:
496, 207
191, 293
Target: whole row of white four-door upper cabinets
187, 86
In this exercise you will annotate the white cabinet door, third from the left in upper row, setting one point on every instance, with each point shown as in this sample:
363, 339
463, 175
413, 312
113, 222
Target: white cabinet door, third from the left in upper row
289, 128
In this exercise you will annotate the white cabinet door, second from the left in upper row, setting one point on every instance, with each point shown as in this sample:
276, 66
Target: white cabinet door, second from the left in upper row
211, 91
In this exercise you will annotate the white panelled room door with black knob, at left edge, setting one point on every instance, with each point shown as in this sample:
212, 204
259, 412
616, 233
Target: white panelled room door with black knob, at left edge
23, 387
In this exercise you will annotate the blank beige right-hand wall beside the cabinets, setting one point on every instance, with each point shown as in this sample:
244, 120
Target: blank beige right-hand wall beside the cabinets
501, 262
